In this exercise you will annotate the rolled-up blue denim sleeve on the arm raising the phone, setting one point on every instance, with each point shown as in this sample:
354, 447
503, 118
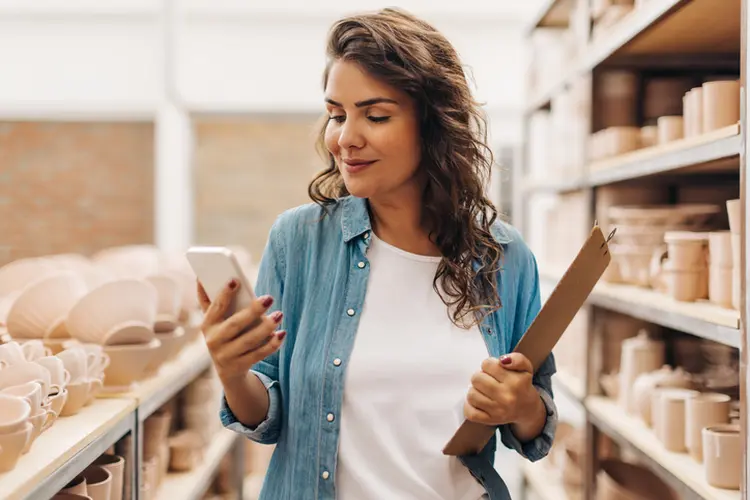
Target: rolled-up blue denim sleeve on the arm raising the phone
270, 282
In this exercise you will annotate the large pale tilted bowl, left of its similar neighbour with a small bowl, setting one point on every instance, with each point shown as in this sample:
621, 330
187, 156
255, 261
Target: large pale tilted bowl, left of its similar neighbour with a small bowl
40, 310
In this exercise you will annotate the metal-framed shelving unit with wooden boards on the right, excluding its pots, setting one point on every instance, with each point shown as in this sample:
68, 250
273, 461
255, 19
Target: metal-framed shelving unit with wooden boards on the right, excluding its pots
657, 38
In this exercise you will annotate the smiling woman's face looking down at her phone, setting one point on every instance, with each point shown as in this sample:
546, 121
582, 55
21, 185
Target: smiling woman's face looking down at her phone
372, 132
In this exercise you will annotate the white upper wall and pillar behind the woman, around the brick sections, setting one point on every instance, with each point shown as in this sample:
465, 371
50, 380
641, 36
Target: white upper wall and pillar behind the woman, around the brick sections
166, 59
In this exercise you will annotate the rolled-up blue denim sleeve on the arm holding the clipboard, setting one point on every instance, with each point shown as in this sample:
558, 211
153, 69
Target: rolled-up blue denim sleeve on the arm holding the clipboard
528, 305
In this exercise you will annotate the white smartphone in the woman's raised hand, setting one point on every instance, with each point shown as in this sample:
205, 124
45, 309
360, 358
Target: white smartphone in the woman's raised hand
215, 267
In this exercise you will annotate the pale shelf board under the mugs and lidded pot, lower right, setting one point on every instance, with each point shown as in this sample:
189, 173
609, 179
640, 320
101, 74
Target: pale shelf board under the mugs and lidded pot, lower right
678, 469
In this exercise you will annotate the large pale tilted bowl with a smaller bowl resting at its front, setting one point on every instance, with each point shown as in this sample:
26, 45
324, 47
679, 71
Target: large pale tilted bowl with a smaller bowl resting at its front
116, 313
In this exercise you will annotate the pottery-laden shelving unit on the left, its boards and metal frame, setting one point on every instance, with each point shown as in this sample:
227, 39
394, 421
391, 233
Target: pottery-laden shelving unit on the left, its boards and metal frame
73, 443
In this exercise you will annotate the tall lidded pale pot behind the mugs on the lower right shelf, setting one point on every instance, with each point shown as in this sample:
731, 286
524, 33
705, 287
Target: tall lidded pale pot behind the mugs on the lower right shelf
640, 354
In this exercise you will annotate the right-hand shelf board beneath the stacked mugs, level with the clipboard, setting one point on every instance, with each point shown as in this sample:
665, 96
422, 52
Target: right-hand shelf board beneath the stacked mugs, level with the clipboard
701, 319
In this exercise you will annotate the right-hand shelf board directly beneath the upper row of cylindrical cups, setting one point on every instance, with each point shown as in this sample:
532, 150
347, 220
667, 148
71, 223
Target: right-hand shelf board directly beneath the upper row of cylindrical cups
677, 156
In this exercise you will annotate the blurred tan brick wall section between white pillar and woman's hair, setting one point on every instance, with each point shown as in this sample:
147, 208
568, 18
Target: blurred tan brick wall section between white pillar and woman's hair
247, 171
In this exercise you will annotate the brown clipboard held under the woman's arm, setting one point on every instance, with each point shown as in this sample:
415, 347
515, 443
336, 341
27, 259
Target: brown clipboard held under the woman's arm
537, 343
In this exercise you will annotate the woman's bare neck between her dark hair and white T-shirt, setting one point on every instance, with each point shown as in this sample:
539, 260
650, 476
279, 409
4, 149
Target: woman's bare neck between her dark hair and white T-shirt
397, 220
